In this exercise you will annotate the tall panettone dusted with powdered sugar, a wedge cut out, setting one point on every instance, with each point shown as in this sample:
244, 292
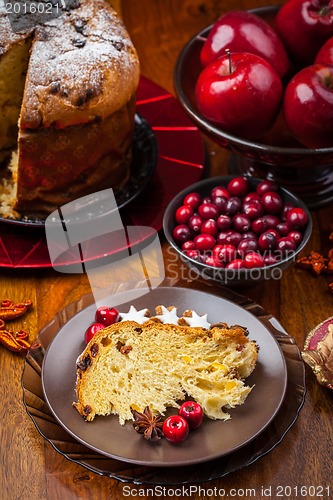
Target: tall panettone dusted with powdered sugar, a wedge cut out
70, 84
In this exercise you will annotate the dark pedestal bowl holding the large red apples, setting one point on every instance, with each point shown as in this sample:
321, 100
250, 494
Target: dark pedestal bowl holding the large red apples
306, 172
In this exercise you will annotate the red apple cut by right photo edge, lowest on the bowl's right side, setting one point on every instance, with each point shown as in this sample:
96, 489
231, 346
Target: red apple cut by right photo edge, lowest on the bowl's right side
308, 106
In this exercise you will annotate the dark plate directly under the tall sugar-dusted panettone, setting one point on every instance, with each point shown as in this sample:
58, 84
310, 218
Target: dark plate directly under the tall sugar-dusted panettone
144, 161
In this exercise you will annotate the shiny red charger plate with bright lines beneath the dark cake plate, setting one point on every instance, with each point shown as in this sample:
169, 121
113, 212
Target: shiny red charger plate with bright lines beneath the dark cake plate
180, 163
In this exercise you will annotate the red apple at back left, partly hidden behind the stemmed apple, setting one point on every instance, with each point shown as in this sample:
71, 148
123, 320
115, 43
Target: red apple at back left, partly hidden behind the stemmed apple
241, 31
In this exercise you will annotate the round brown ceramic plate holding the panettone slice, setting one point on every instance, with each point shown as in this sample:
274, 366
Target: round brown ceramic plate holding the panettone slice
214, 438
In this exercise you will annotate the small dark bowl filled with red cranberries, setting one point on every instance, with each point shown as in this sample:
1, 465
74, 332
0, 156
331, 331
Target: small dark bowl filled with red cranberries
237, 231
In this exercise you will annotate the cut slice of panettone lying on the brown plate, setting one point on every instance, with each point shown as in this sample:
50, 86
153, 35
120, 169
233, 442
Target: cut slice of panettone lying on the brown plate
130, 365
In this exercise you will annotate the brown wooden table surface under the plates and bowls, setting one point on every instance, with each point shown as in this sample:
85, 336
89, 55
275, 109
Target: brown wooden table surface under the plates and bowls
30, 468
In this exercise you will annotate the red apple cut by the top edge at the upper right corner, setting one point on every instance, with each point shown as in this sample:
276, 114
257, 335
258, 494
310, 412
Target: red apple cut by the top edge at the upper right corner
303, 26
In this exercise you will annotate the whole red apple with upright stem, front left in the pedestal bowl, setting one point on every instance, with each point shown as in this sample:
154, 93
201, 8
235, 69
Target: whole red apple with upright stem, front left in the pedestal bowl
241, 95
